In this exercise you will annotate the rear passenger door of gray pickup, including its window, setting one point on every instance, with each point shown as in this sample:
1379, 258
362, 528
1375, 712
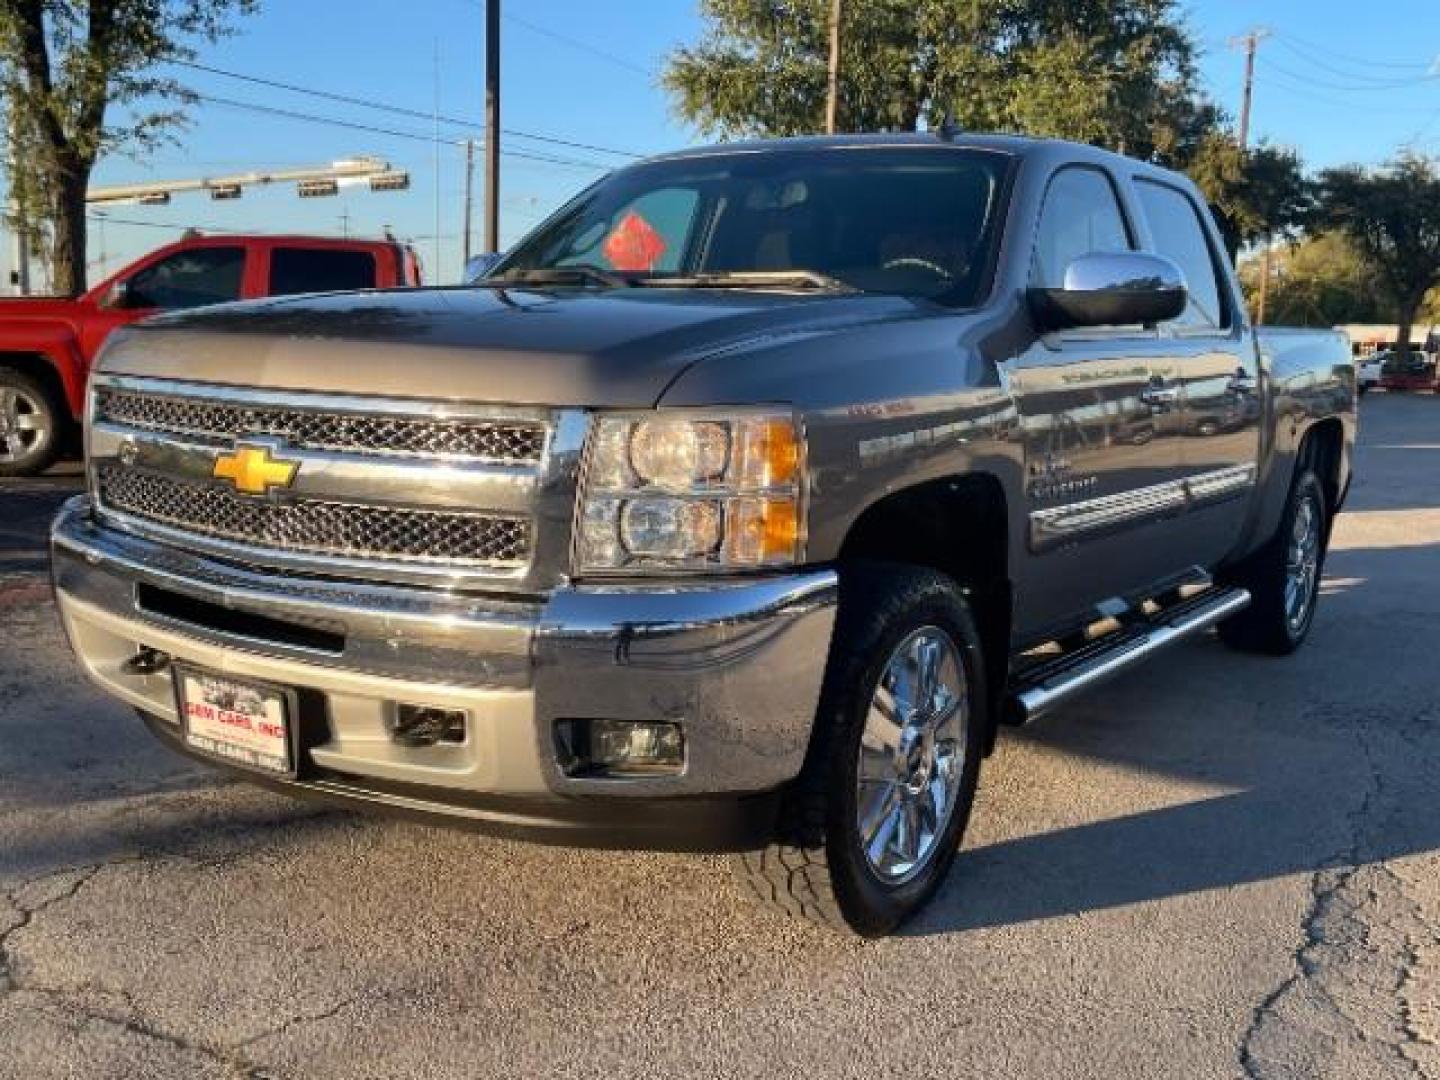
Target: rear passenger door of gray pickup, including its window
1216, 368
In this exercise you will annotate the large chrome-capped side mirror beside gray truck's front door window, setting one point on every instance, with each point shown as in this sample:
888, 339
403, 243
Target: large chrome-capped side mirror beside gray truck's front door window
1112, 290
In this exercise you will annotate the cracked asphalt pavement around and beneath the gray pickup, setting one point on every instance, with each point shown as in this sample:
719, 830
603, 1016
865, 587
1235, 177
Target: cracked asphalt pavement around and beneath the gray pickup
1219, 866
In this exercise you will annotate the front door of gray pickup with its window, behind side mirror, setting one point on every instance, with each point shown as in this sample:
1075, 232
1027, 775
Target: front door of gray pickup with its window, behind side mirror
1099, 414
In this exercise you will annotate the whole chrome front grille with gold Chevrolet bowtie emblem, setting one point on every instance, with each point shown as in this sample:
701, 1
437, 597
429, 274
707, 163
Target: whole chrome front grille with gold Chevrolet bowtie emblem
457, 495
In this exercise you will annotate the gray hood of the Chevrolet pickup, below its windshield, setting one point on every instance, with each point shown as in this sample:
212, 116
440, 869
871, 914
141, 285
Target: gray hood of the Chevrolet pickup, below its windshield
559, 348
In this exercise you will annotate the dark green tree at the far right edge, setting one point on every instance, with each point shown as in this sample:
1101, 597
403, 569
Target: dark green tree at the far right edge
1392, 215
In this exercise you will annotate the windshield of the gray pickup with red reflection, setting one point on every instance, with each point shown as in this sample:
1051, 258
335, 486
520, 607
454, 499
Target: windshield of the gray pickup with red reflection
908, 221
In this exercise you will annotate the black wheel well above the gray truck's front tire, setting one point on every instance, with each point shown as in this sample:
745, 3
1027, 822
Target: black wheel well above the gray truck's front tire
960, 528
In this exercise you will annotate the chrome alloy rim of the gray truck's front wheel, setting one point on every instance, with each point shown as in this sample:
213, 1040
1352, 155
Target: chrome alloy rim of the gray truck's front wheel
912, 755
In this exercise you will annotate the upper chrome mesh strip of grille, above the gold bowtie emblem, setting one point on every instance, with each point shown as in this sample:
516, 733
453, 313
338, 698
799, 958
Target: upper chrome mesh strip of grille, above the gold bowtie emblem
348, 433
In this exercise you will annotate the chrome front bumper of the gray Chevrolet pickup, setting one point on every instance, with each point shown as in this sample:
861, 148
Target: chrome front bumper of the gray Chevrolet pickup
738, 665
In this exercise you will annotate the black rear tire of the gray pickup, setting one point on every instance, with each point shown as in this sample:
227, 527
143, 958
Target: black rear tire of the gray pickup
1269, 626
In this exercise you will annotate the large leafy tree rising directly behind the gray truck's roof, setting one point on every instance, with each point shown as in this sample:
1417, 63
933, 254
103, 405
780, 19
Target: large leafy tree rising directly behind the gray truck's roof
1114, 73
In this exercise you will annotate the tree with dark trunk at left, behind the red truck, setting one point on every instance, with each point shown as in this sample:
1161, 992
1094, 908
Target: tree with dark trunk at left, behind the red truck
64, 66
